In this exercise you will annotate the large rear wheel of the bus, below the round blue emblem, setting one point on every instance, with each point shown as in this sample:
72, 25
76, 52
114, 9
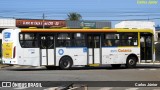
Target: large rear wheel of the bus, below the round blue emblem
65, 63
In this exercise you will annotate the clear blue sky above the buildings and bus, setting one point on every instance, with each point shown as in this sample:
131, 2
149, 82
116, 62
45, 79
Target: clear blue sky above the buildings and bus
111, 10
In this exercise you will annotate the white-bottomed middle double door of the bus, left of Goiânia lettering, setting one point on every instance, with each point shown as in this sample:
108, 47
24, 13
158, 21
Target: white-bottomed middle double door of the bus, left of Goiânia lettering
93, 49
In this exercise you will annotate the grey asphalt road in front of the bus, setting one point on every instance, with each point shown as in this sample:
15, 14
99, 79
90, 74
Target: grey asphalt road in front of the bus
26, 73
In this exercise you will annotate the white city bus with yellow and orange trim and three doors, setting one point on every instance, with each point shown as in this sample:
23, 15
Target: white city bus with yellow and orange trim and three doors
66, 48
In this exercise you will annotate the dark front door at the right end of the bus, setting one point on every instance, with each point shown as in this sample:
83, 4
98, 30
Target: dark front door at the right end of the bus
146, 47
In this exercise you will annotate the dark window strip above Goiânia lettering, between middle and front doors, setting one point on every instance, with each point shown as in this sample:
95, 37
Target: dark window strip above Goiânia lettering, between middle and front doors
120, 39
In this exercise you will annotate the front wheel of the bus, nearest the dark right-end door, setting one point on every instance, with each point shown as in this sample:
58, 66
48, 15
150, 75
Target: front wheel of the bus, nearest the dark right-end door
131, 62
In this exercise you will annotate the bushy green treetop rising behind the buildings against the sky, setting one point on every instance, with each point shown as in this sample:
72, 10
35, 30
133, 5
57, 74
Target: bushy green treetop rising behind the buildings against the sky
74, 16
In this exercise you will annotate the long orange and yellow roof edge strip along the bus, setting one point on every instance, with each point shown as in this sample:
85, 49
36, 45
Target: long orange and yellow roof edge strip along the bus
87, 30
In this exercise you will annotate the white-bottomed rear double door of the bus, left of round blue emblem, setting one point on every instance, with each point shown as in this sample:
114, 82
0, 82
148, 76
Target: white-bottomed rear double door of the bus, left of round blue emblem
47, 49
